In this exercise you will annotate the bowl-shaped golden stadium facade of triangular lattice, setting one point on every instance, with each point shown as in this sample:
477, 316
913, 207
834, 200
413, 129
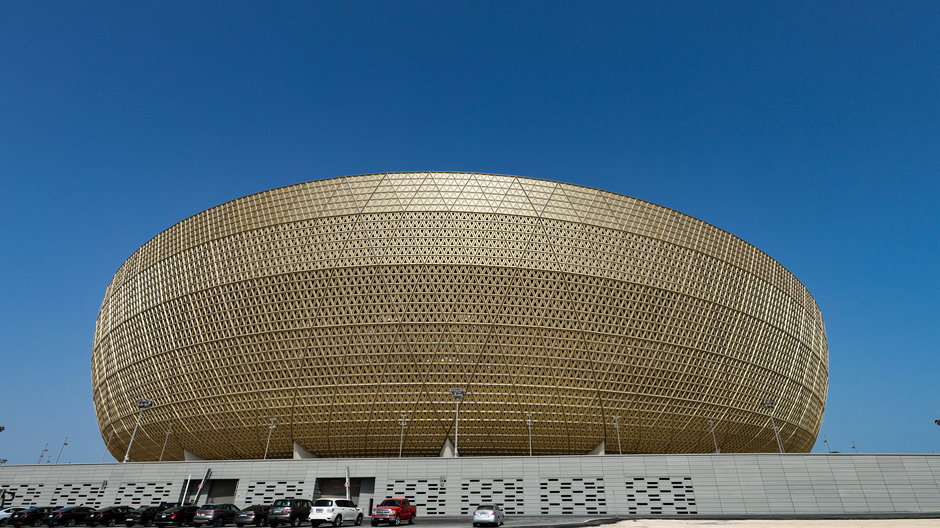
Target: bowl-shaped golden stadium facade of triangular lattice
572, 316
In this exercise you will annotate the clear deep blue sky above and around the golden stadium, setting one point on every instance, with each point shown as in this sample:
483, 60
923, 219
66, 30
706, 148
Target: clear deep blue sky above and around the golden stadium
809, 129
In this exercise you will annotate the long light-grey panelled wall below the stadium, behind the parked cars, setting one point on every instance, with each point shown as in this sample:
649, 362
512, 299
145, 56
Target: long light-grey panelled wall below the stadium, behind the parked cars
738, 485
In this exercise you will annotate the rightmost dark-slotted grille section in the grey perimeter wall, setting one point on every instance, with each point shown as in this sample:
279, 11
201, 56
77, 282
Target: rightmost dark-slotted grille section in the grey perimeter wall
660, 496
